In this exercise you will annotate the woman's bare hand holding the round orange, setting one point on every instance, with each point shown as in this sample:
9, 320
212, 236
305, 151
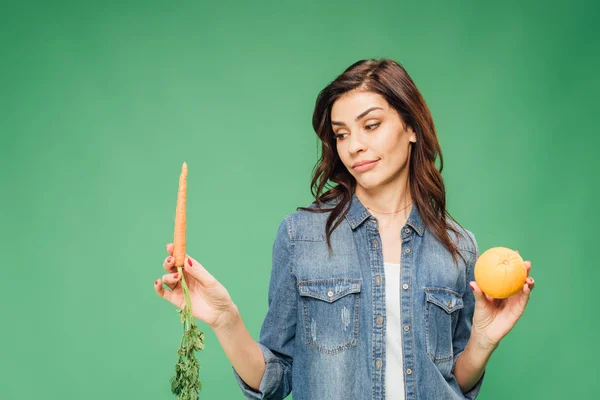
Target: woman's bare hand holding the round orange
494, 318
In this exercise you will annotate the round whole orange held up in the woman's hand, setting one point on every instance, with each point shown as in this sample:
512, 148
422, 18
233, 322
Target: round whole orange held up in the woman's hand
500, 272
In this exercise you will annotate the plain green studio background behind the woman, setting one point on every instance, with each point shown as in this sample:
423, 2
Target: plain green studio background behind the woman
101, 102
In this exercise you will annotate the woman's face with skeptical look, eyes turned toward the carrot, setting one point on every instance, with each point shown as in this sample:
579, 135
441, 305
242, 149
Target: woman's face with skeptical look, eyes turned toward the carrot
371, 139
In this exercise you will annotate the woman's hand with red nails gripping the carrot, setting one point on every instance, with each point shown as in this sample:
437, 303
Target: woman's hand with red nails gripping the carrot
211, 302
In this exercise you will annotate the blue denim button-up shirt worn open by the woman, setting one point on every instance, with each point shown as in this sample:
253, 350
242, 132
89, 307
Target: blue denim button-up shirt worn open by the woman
324, 332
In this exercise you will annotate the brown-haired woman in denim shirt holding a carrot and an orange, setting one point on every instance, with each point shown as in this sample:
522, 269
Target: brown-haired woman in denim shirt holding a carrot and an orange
369, 294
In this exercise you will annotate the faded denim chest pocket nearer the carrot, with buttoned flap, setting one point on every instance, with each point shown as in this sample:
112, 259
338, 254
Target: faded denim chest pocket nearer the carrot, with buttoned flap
331, 313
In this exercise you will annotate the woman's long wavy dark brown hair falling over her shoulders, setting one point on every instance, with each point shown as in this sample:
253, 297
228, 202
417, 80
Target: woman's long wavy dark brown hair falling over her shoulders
389, 79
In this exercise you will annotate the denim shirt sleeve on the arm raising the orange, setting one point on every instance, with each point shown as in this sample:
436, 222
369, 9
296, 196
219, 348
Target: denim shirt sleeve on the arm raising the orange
465, 319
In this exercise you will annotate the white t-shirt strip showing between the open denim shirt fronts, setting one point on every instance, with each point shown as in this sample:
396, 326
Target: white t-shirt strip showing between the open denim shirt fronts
394, 371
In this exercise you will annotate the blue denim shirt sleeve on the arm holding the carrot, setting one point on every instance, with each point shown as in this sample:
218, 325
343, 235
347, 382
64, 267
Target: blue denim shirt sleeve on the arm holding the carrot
278, 332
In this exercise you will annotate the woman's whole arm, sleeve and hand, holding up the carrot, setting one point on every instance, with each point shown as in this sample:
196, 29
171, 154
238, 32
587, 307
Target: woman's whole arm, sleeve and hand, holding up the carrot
262, 369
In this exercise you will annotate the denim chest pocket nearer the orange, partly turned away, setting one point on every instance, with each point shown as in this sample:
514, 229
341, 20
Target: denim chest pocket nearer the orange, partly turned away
441, 309
